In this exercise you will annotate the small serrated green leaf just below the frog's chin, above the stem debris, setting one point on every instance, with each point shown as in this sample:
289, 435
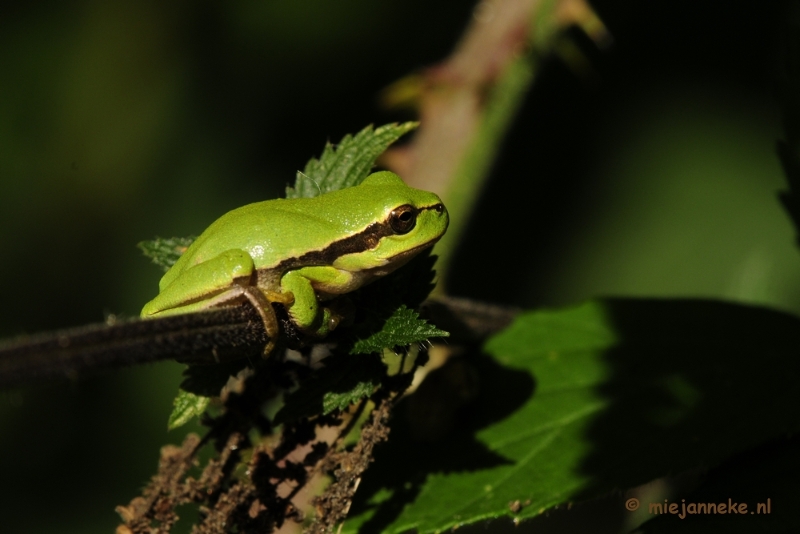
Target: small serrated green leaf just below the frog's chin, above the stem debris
403, 327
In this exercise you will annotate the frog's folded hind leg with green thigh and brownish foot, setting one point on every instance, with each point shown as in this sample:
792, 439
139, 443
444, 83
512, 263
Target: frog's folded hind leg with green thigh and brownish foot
215, 282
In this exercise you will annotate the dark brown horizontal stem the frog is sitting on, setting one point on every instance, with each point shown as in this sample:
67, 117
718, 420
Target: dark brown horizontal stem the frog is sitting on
207, 337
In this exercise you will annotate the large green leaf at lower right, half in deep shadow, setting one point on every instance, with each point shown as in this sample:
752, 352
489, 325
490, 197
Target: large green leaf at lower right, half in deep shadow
576, 403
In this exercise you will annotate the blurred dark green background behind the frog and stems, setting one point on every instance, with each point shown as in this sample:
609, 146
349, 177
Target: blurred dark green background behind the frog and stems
653, 172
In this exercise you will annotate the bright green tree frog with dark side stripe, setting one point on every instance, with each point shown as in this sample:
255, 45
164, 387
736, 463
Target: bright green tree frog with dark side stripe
301, 252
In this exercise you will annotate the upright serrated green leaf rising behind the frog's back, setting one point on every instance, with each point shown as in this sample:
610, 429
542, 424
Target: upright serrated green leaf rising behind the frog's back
348, 163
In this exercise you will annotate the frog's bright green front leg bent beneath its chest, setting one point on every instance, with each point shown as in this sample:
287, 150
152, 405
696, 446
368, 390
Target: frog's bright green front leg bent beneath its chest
306, 311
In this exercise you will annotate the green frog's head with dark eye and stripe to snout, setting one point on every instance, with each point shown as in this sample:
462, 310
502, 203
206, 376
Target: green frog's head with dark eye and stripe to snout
406, 222
